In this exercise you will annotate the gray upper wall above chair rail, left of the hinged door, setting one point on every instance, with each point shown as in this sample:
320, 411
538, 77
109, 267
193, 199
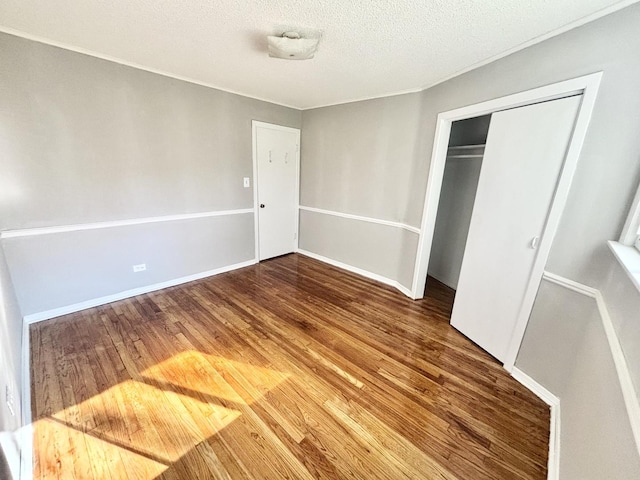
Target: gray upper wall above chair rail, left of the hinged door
87, 140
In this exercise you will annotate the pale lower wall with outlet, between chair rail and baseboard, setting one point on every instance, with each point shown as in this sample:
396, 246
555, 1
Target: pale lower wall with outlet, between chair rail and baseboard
53, 271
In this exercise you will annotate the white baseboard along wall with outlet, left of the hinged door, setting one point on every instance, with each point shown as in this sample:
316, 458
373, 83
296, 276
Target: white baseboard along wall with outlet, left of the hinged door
76, 307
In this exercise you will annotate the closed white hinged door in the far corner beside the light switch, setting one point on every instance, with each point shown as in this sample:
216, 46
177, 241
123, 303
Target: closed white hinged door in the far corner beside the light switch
277, 158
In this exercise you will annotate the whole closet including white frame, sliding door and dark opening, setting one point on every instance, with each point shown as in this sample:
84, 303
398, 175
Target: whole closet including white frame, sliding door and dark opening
499, 179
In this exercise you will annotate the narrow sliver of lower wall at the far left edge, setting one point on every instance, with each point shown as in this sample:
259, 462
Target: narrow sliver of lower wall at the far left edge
10, 348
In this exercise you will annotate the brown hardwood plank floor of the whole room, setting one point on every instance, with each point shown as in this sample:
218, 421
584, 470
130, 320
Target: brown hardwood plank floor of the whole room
287, 369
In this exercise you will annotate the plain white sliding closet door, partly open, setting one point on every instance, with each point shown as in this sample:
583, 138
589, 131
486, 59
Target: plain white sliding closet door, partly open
523, 159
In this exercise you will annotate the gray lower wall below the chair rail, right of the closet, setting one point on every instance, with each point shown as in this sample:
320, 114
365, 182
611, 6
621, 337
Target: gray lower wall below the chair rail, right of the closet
566, 350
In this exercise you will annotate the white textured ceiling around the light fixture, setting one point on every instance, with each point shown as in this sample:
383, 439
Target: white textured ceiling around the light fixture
369, 48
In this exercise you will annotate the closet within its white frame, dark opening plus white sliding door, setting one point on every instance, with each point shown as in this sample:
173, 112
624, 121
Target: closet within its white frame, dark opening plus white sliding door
500, 179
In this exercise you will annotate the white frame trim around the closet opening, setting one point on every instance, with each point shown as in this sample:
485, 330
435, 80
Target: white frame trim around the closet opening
588, 86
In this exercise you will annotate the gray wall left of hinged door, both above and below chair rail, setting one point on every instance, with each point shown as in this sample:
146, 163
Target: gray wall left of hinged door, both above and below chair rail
84, 140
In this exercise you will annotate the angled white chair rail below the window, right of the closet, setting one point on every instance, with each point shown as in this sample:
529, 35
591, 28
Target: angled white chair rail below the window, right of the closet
631, 401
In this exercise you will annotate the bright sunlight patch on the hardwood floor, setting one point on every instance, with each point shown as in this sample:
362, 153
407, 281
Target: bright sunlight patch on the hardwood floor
143, 426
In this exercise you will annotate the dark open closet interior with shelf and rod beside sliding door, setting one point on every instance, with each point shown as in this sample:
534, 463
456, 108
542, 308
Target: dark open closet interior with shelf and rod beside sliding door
459, 184
